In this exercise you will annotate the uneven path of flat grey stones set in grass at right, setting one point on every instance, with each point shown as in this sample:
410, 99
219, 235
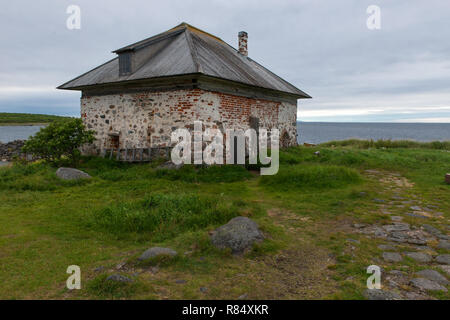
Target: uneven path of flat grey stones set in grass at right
419, 243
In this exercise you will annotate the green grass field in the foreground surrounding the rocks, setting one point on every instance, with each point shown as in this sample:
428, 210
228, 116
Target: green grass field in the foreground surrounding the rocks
307, 213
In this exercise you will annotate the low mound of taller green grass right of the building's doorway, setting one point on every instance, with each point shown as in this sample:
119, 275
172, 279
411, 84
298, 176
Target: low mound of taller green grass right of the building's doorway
303, 177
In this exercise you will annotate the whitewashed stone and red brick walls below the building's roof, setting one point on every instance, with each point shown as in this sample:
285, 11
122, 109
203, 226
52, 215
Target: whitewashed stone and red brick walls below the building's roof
147, 119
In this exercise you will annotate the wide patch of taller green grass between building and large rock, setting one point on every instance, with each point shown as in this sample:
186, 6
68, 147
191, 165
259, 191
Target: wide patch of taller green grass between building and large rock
162, 216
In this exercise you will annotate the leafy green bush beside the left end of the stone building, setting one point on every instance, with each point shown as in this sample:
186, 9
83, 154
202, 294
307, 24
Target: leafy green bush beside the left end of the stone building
58, 140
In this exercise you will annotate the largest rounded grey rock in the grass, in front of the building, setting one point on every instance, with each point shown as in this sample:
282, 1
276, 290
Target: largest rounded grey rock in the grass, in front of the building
239, 234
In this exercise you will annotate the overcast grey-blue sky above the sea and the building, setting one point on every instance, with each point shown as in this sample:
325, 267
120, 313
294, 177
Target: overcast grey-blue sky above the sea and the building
399, 73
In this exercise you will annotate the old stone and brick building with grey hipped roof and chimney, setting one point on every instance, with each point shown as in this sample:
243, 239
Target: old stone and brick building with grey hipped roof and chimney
170, 80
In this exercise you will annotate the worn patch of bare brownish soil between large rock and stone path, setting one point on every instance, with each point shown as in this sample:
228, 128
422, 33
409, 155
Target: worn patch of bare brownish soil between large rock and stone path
299, 272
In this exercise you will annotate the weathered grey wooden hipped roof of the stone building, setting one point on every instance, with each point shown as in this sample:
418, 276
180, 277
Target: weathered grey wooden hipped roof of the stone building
185, 50
